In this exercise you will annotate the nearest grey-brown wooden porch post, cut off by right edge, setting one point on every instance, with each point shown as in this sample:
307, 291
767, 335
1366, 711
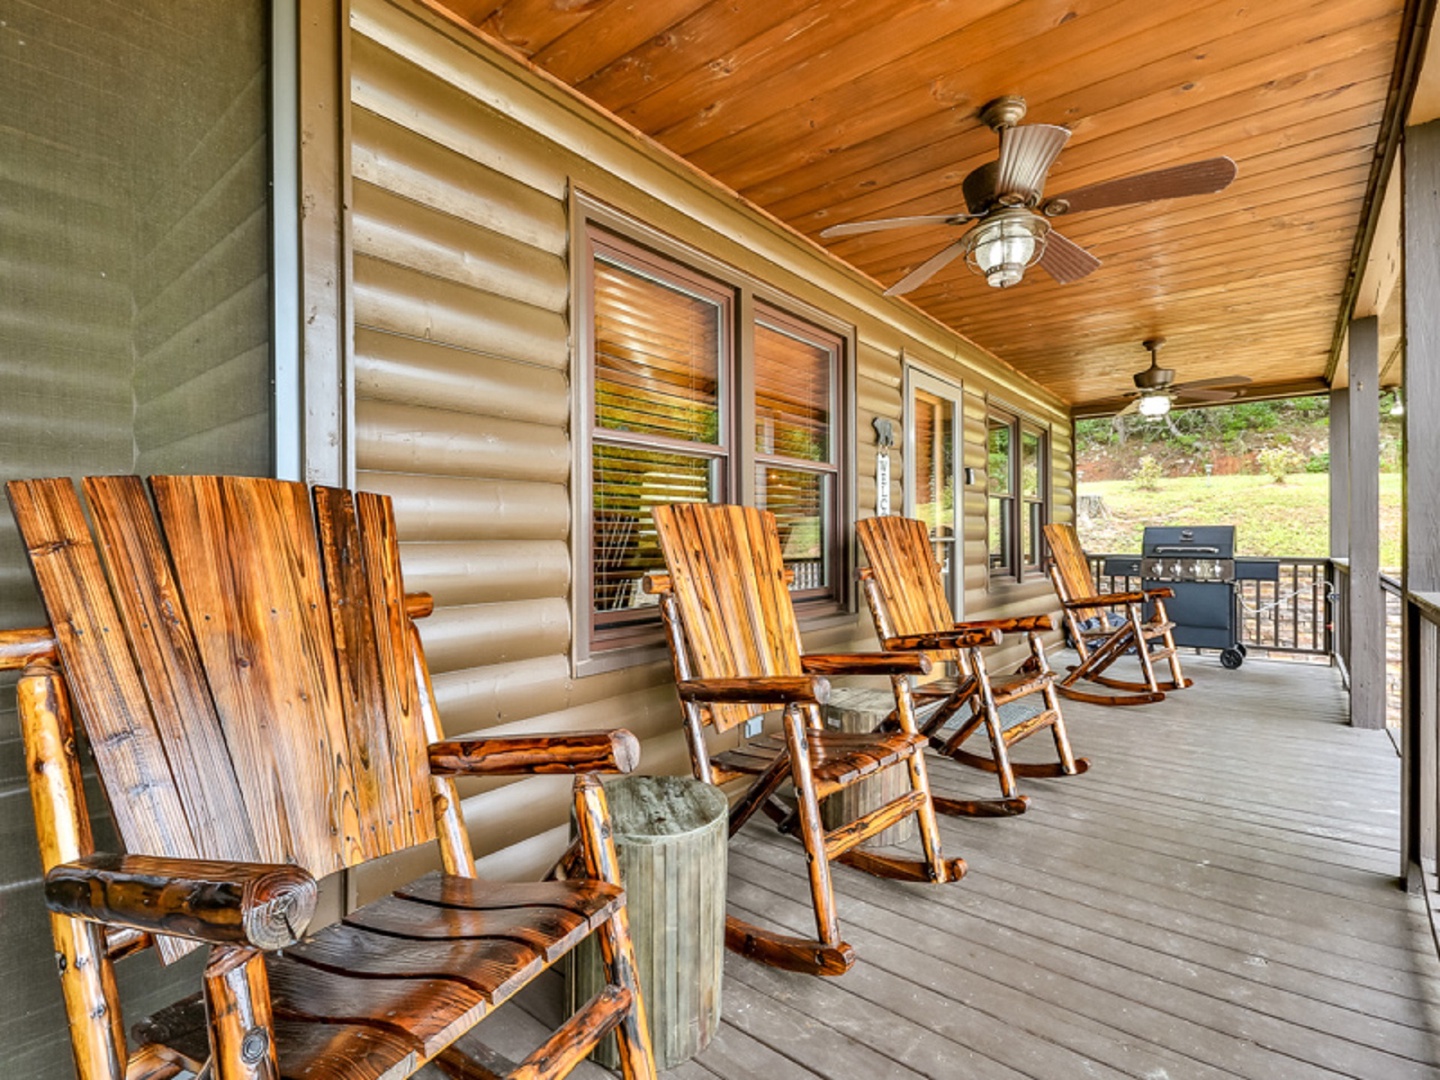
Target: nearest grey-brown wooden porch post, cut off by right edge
1422, 473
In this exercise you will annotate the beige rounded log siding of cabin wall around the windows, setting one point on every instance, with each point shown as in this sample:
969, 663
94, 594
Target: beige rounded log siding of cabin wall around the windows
463, 165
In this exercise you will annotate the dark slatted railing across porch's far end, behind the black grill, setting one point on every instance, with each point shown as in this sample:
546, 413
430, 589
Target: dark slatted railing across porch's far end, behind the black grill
1287, 616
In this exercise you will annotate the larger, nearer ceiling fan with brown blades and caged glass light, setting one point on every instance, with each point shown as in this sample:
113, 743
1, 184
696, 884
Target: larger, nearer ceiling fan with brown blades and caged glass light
1004, 198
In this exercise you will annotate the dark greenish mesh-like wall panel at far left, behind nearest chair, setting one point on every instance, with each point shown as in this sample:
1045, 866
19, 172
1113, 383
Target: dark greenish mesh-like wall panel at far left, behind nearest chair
135, 336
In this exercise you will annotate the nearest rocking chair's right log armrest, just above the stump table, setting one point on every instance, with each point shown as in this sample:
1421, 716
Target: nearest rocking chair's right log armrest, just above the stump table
610, 751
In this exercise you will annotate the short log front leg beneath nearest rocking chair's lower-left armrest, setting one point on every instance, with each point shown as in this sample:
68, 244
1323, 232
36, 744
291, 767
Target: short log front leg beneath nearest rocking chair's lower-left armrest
237, 999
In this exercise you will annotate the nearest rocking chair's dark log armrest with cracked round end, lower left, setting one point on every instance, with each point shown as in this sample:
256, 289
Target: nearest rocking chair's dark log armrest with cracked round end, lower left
254, 905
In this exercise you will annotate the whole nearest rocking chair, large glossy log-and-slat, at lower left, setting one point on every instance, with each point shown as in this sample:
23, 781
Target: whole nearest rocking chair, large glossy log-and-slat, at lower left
257, 702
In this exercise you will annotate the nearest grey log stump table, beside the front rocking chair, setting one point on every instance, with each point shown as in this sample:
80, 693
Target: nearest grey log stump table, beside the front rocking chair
672, 836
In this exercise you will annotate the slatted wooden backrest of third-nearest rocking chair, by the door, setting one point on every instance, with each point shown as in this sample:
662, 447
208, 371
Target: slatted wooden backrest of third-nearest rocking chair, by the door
906, 575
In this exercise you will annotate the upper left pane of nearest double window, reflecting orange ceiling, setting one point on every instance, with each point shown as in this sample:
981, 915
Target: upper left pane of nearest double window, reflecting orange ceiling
657, 356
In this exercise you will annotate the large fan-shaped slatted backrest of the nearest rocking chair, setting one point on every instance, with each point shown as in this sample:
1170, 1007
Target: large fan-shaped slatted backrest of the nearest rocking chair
247, 701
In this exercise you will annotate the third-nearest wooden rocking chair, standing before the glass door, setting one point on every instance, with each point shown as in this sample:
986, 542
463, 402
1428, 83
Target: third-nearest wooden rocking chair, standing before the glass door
912, 616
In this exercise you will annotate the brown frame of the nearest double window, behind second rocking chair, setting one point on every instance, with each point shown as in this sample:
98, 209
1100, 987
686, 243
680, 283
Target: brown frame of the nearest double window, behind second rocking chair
597, 649
